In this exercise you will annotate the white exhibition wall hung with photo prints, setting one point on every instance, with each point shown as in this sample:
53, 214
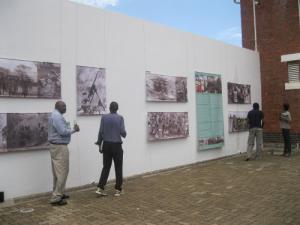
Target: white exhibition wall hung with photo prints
64, 32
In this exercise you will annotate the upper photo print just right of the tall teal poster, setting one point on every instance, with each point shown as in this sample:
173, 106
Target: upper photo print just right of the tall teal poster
239, 93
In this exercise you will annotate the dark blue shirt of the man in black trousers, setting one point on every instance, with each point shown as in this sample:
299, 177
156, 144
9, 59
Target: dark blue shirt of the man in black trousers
112, 128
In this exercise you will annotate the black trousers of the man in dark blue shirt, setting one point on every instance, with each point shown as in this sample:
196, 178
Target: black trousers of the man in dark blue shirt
112, 151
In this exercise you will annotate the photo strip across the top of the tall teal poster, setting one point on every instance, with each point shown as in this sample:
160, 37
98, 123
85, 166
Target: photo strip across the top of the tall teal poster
208, 84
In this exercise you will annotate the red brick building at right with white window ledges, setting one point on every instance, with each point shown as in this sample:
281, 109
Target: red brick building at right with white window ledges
272, 27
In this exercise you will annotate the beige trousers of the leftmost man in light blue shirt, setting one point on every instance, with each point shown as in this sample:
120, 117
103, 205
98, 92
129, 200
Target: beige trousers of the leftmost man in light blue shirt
60, 169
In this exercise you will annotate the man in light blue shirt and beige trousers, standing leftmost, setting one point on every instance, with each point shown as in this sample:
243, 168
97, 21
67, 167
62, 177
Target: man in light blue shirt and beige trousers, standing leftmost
59, 136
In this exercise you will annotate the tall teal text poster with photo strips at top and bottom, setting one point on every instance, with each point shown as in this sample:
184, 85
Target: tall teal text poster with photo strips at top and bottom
209, 106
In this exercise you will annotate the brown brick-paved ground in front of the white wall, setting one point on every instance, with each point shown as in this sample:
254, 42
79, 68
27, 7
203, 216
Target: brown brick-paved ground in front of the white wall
222, 192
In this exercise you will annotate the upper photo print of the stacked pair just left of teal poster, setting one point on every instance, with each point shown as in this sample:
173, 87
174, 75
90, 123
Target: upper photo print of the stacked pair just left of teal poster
165, 88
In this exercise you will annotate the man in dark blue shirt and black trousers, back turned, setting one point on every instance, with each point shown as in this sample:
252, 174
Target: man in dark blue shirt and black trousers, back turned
112, 128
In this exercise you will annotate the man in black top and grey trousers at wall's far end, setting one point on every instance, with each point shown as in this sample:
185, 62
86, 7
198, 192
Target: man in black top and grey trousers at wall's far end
255, 119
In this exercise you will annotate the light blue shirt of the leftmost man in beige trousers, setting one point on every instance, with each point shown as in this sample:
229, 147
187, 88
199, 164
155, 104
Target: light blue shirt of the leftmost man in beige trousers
59, 131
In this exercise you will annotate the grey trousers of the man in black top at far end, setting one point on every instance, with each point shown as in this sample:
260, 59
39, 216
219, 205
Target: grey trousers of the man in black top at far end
255, 134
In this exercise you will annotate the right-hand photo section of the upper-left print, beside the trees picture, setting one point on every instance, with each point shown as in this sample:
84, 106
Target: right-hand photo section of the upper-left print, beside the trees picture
49, 80
